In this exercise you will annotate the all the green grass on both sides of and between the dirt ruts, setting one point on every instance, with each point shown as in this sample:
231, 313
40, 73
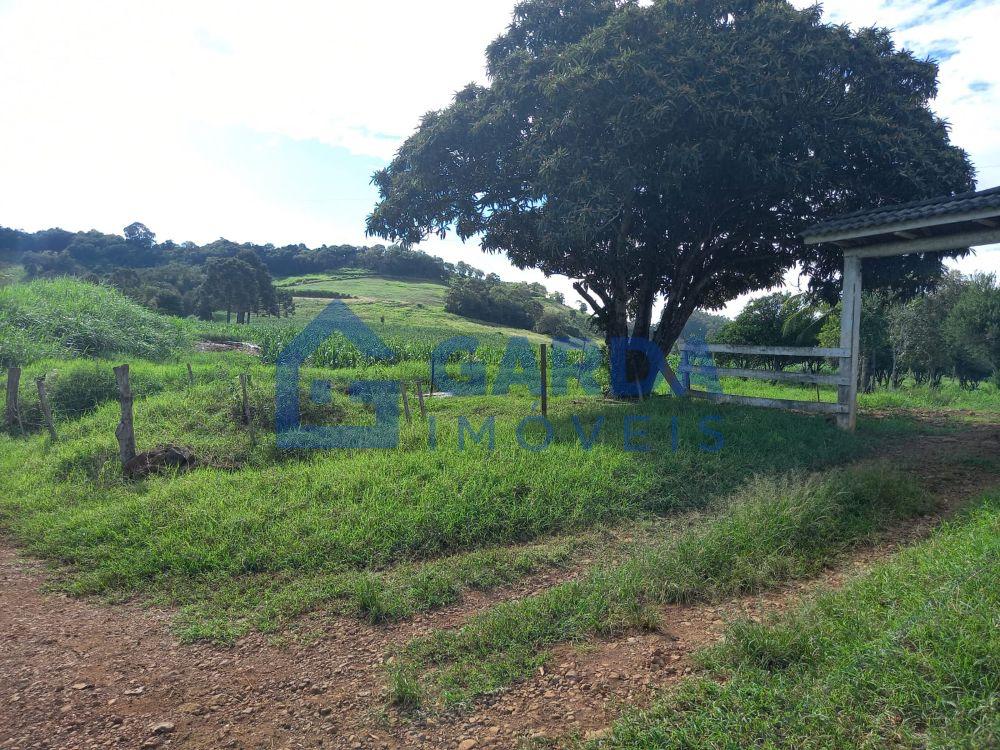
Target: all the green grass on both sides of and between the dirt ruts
634, 505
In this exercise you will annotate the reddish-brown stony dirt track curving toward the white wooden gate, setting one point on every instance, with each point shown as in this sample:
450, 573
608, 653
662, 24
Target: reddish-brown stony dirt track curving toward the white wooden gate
77, 674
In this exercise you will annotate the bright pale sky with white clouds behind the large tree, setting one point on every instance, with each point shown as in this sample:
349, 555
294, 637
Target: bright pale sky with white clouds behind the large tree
263, 121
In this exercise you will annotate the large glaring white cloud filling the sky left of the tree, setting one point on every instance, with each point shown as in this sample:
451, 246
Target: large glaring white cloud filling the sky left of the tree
103, 102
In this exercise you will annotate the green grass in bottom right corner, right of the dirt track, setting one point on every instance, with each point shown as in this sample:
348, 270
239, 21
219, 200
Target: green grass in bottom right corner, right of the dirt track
907, 656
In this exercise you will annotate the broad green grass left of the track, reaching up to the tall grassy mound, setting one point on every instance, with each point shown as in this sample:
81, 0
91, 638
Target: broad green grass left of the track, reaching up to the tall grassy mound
255, 536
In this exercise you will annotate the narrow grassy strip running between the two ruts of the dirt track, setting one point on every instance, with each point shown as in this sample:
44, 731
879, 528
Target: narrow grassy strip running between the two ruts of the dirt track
773, 530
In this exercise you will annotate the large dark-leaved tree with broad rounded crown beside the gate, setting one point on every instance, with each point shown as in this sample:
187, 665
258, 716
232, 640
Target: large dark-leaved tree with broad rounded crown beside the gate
673, 151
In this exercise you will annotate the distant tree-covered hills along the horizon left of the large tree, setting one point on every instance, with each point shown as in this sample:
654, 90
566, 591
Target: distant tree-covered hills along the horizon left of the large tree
188, 279
